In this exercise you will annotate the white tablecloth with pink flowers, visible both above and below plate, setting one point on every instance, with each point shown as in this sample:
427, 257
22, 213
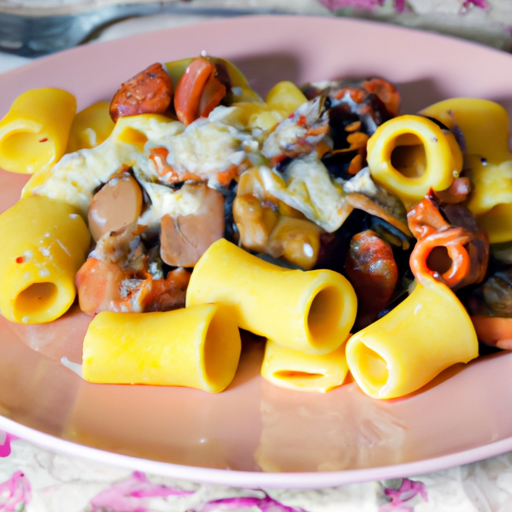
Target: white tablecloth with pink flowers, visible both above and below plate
35, 480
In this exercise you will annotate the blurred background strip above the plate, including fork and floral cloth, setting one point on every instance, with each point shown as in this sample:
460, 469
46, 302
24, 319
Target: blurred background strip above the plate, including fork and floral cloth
31, 28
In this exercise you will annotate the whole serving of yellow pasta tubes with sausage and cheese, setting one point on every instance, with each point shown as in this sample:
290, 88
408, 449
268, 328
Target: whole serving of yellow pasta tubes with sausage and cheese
352, 238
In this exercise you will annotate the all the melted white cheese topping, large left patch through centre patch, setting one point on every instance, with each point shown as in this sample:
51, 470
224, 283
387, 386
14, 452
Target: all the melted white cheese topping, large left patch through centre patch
201, 150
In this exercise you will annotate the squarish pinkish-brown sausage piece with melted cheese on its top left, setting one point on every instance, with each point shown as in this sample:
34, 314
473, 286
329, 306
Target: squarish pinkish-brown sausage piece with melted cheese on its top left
185, 238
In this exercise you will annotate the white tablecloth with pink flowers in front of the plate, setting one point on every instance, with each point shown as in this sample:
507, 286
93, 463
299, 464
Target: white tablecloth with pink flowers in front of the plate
35, 480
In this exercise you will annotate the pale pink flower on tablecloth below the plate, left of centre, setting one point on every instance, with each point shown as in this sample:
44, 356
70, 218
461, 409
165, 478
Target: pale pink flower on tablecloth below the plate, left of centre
129, 495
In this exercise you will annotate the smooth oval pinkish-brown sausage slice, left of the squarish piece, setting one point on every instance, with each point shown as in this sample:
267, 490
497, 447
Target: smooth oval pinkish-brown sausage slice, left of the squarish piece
116, 205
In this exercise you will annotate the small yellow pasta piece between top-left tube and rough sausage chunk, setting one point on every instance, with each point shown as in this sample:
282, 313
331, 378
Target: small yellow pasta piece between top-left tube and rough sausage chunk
90, 127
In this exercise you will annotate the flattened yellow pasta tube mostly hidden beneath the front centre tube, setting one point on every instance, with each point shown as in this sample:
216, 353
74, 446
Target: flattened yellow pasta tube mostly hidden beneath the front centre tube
297, 370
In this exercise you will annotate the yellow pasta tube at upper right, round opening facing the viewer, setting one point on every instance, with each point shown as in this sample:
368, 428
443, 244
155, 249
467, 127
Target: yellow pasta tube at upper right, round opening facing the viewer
409, 155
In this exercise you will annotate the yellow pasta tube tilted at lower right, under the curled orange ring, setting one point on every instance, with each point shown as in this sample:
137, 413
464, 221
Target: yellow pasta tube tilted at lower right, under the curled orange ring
404, 350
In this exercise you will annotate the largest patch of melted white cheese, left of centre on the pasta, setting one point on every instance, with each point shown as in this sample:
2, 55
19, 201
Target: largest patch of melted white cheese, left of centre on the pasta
204, 148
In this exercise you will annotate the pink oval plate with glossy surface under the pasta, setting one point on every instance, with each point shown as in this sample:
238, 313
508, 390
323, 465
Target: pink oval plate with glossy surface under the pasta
254, 434
